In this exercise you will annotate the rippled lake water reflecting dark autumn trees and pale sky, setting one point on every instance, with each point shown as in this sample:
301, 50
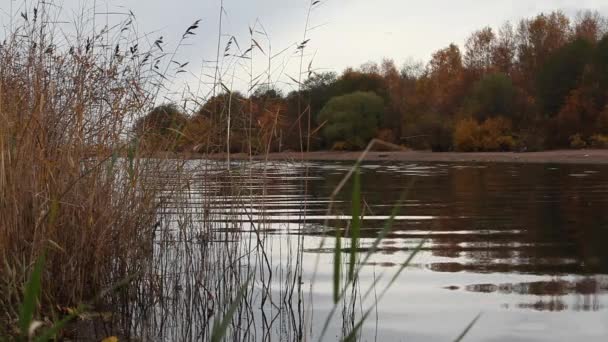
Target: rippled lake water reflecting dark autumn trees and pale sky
519, 242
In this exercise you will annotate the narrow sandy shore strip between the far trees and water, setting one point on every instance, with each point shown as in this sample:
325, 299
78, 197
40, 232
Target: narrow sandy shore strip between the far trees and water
557, 157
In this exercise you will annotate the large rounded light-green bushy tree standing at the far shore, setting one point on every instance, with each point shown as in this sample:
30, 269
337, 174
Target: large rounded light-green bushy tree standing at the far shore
351, 121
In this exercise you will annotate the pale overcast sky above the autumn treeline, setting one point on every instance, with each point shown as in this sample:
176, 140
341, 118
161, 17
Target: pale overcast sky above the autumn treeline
342, 33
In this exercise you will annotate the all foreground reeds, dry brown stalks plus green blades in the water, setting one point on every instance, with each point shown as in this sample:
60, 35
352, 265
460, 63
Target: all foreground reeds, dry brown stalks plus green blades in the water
176, 241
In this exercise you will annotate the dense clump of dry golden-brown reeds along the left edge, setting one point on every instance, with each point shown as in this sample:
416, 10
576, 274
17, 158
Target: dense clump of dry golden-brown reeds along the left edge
70, 180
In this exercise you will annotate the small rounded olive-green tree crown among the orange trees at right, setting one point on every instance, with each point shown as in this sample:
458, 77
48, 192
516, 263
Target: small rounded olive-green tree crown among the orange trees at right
493, 96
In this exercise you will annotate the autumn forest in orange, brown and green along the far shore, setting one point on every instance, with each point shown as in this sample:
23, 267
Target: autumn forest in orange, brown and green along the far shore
538, 84
